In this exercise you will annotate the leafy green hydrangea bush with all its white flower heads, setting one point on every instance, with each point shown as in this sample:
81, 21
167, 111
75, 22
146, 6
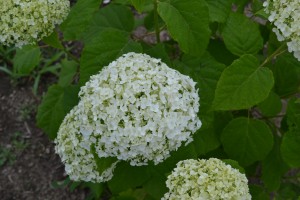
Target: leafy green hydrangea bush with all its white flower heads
125, 108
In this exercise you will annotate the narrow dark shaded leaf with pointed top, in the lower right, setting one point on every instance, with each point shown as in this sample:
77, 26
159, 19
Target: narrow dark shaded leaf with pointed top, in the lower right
273, 168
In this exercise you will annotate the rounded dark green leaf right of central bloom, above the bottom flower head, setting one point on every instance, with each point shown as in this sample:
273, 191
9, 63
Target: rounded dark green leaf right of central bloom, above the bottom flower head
247, 140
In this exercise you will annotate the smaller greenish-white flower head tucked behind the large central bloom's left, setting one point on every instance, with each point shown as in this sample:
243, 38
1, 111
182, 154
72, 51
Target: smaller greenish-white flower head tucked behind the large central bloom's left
75, 152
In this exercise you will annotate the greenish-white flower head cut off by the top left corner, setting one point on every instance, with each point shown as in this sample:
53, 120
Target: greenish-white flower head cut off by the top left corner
27, 21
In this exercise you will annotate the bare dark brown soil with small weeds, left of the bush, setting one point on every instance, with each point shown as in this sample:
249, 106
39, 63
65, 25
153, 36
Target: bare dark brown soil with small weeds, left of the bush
31, 166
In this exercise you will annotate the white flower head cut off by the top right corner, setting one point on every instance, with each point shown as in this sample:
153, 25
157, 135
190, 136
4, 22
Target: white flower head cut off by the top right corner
285, 15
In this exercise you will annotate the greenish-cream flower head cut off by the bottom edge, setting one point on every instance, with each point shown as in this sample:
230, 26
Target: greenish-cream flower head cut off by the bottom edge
206, 179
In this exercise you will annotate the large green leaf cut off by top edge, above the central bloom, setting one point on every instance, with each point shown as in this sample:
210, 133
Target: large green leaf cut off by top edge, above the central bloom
186, 24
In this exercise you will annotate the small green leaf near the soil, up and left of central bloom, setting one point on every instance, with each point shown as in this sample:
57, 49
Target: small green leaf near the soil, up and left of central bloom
68, 70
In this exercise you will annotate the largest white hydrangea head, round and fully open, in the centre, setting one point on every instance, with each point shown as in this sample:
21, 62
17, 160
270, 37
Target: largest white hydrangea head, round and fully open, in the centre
139, 109
